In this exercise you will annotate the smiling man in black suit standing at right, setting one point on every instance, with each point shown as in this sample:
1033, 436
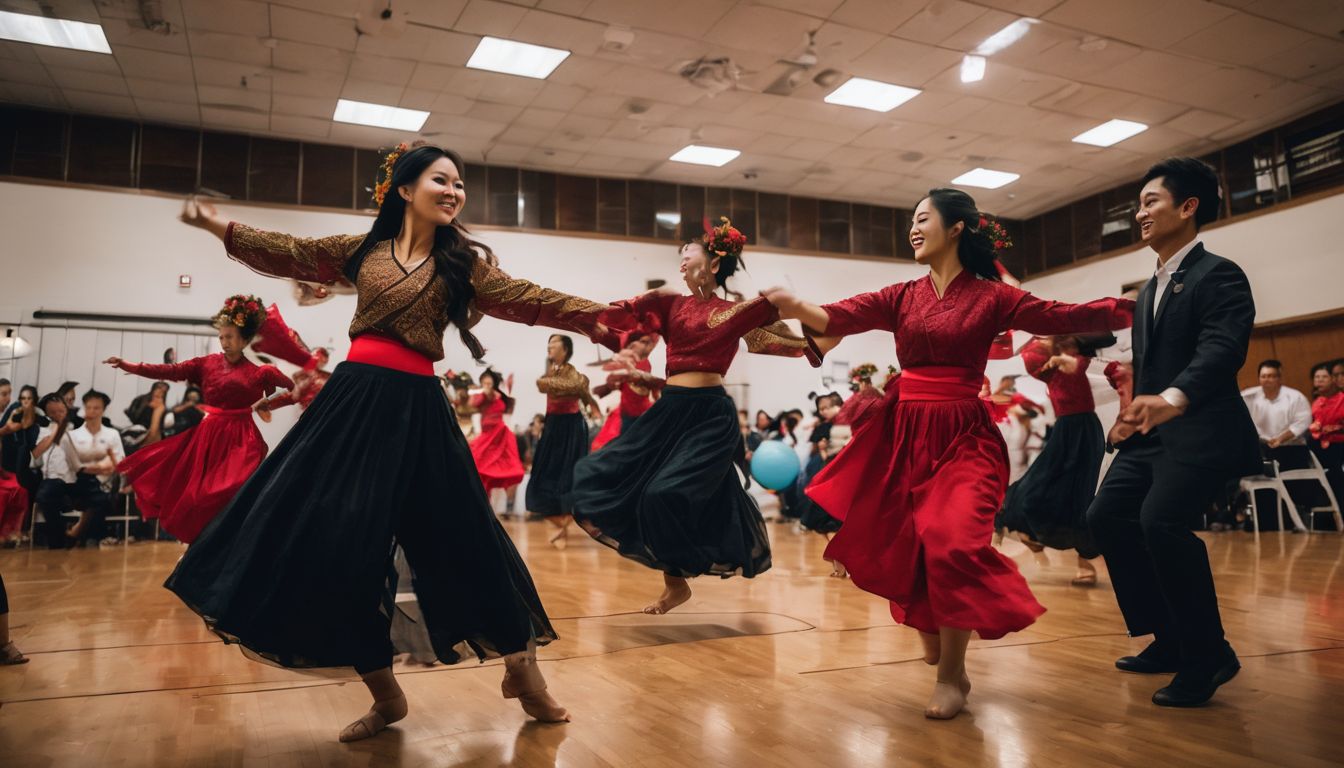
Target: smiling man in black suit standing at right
1185, 435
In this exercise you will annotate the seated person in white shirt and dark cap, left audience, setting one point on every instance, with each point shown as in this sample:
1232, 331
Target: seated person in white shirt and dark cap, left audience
93, 453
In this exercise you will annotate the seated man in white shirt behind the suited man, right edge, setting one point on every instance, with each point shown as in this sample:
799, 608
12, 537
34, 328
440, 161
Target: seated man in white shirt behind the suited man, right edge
1283, 418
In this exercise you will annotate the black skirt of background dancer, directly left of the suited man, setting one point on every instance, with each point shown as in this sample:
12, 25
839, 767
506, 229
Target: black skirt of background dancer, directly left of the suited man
1050, 501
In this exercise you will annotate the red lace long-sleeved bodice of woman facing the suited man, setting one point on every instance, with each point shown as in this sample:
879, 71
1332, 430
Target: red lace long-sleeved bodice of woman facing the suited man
959, 329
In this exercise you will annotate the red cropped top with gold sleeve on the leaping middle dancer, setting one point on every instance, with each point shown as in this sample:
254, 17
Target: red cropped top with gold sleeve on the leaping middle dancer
702, 334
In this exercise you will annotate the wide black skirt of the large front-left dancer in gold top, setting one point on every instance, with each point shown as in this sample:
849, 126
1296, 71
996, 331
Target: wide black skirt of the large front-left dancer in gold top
299, 567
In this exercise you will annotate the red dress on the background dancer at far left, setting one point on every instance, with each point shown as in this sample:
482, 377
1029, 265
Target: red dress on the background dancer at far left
186, 479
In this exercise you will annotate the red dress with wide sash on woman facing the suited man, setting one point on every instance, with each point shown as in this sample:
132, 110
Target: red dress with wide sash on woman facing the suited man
923, 481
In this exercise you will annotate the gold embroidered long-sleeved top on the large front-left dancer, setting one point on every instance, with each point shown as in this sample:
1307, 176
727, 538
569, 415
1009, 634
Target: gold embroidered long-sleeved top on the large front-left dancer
409, 305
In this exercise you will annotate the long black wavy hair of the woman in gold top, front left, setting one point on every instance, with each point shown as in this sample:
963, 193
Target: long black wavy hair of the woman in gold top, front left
455, 254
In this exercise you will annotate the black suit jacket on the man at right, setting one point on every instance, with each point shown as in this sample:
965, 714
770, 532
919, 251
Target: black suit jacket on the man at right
1198, 344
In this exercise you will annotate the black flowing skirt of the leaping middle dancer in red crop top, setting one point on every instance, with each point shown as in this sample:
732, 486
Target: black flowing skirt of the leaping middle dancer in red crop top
667, 494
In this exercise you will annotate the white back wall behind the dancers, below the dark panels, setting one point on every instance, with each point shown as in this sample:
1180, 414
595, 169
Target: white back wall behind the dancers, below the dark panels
119, 252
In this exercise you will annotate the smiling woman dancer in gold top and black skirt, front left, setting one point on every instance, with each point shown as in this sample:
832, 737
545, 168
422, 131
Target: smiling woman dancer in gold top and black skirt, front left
296, 567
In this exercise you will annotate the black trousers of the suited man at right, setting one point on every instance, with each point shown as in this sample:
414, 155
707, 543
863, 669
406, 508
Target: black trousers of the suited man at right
1144, 519
